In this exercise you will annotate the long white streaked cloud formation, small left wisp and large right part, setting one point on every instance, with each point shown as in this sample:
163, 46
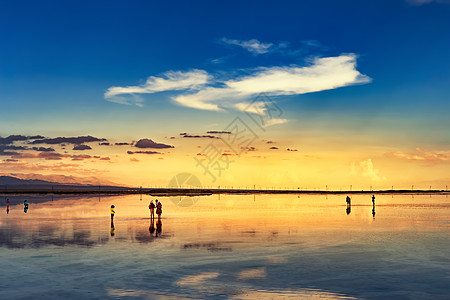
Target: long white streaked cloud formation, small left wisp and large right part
321, 74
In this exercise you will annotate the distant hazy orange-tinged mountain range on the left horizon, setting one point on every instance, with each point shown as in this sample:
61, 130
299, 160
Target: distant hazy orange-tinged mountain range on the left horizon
27, 179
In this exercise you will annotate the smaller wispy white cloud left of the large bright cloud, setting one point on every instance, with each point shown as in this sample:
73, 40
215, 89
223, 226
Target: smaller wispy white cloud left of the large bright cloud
174, 80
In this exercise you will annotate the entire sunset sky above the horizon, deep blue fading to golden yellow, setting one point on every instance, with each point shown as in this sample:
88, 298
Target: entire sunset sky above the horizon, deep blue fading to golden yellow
362, 88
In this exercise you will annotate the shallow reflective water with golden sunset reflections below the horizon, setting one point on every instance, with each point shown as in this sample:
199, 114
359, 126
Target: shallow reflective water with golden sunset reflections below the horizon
226, 247
